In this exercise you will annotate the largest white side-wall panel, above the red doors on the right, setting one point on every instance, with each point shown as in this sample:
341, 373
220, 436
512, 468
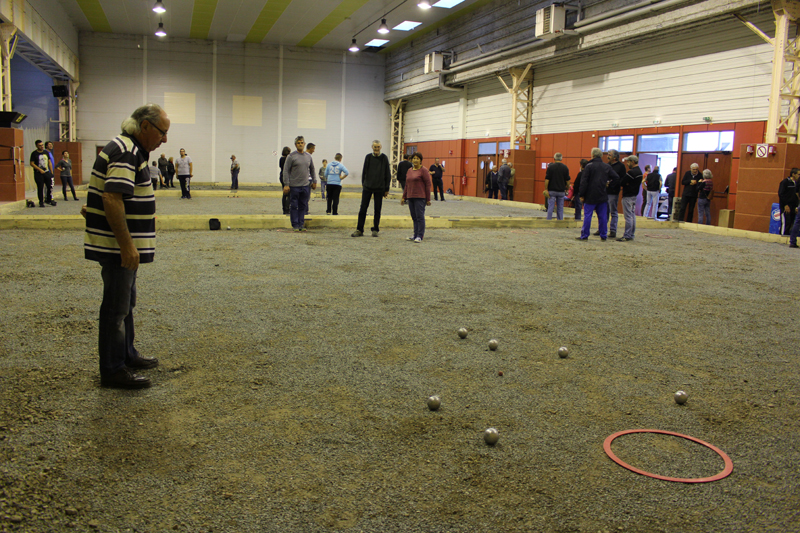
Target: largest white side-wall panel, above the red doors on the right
676, 80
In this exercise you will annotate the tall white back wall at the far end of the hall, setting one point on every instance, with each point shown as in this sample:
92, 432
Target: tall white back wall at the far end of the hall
114, 84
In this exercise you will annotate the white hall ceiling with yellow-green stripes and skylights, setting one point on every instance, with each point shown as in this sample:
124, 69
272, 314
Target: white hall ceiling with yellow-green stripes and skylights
313, 23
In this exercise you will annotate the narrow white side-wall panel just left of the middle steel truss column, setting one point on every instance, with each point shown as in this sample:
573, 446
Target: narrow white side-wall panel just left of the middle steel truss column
488, 109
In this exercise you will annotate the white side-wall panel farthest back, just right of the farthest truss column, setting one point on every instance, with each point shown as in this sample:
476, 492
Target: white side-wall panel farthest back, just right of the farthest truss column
432, 117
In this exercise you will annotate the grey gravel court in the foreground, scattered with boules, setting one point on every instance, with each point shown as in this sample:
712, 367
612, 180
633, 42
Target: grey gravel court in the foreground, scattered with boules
295, 368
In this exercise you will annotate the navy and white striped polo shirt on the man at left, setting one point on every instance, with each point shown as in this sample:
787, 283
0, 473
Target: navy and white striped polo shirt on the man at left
121, 168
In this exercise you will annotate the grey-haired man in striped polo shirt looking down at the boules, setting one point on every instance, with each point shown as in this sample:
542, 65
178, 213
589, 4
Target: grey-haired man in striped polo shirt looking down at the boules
120, 234
